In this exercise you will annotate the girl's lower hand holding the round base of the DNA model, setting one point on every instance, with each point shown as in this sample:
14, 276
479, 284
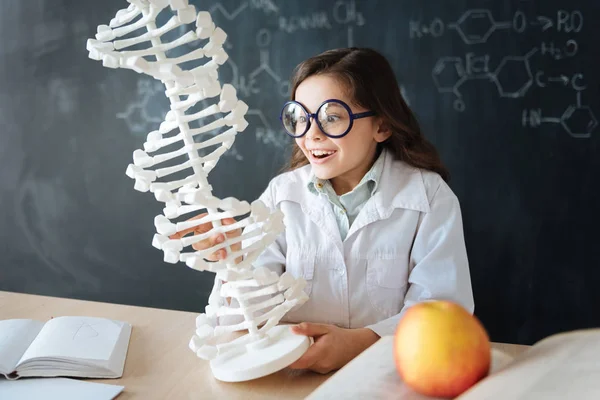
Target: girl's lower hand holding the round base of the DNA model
333, 348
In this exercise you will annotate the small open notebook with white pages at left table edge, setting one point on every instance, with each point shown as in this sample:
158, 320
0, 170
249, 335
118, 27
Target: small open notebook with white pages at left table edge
85, 347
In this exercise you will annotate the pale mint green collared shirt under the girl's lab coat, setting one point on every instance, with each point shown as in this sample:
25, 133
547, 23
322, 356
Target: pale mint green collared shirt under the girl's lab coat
347, 206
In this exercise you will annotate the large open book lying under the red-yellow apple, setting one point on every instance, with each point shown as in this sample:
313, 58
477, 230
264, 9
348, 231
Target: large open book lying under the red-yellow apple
562, 366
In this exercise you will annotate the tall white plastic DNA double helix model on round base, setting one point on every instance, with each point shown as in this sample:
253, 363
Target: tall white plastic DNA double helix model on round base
262, 295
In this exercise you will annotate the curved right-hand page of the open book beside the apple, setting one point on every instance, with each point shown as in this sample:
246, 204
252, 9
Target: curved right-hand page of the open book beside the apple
565, 366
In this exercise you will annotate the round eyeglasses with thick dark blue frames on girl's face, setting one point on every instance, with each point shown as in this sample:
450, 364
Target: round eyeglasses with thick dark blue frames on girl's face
334, 118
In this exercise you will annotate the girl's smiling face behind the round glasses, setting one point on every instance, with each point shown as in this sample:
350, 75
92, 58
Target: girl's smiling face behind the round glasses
346, 160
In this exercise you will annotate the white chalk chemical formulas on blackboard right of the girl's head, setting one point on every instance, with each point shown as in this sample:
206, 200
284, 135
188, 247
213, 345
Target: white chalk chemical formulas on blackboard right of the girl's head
513, 75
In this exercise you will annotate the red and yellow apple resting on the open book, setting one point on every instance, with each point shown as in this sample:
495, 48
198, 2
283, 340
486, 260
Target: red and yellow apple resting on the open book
441, 349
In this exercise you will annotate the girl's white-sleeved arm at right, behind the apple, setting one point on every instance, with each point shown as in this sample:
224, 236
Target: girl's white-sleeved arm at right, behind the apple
439, 264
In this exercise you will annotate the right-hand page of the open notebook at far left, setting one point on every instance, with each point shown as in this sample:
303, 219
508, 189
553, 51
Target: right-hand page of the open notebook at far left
76, 338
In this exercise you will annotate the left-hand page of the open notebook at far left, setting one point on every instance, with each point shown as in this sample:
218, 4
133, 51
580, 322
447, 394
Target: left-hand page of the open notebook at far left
15, 337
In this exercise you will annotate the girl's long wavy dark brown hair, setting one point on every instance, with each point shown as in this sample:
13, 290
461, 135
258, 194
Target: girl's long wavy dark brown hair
371, 82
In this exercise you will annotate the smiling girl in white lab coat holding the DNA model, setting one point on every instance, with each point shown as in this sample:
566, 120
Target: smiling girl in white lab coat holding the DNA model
371, 224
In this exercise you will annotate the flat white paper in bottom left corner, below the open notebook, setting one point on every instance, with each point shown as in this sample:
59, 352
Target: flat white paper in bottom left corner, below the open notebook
56, 389
